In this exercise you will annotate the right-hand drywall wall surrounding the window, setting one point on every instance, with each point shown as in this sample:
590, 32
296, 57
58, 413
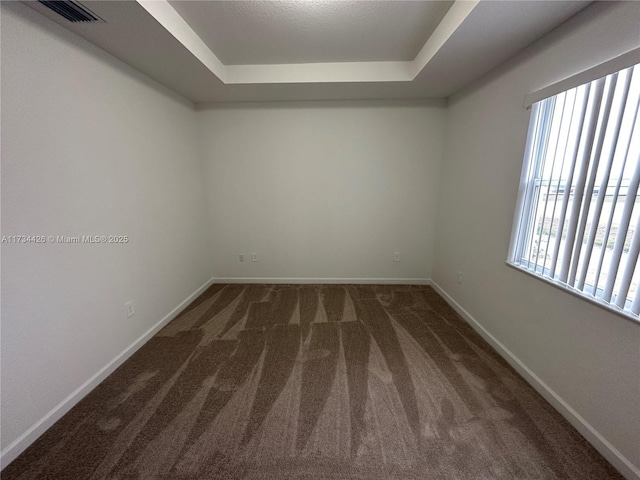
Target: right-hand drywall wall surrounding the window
585, 354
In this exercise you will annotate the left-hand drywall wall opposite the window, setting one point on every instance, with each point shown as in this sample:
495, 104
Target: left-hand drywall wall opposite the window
89, 147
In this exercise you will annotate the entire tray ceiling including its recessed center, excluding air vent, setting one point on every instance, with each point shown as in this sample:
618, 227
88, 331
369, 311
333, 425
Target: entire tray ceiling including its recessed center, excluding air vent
462, 41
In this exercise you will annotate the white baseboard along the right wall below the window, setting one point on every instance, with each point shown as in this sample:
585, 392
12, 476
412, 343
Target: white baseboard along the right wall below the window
608, 451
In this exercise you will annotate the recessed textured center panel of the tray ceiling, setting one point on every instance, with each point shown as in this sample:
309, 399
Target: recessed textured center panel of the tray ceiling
264, 32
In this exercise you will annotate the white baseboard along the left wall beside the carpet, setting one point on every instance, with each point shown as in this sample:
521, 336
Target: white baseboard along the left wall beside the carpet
31, 435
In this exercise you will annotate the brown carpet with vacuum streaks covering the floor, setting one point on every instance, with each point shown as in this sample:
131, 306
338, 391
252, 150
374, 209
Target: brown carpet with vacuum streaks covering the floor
313, 382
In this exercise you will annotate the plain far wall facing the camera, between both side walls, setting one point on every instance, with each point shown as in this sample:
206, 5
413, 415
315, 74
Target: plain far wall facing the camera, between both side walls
323, 190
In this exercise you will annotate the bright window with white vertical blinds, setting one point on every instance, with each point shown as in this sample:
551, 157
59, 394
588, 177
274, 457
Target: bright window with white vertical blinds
577, 223
